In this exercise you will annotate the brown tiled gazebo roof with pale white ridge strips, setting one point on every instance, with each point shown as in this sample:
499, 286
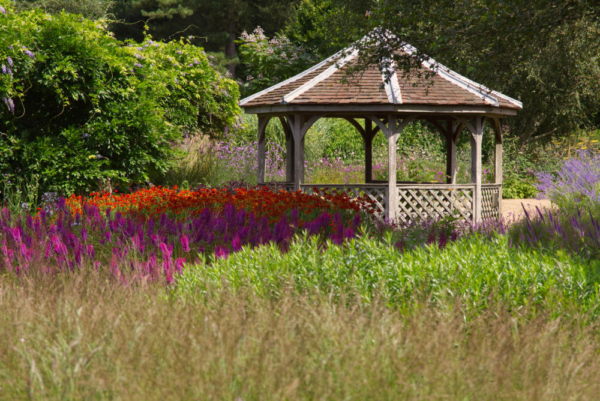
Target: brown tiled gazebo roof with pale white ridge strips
323, 85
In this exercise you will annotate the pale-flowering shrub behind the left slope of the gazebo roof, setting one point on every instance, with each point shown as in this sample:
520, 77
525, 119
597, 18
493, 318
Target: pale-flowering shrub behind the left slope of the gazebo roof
269, 61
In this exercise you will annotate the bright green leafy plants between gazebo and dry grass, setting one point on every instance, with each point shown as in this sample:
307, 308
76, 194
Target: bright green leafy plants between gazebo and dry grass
477, 271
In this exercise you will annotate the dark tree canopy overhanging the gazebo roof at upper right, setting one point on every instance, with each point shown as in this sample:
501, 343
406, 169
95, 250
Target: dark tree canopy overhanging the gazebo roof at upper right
543, 52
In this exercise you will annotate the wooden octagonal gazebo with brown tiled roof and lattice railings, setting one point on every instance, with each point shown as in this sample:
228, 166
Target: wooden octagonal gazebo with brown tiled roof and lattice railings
450, 102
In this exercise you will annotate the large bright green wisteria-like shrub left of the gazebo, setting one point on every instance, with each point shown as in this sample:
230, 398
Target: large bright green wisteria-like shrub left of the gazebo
81, 107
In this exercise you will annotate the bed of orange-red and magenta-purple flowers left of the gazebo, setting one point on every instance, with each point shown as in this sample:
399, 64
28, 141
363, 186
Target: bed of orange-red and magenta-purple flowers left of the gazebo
150, 234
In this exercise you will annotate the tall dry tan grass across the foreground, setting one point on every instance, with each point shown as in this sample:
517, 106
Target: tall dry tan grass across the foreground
87, 337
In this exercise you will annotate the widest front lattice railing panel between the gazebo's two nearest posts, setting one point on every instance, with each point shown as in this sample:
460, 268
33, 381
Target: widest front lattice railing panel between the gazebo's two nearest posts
434, 203
